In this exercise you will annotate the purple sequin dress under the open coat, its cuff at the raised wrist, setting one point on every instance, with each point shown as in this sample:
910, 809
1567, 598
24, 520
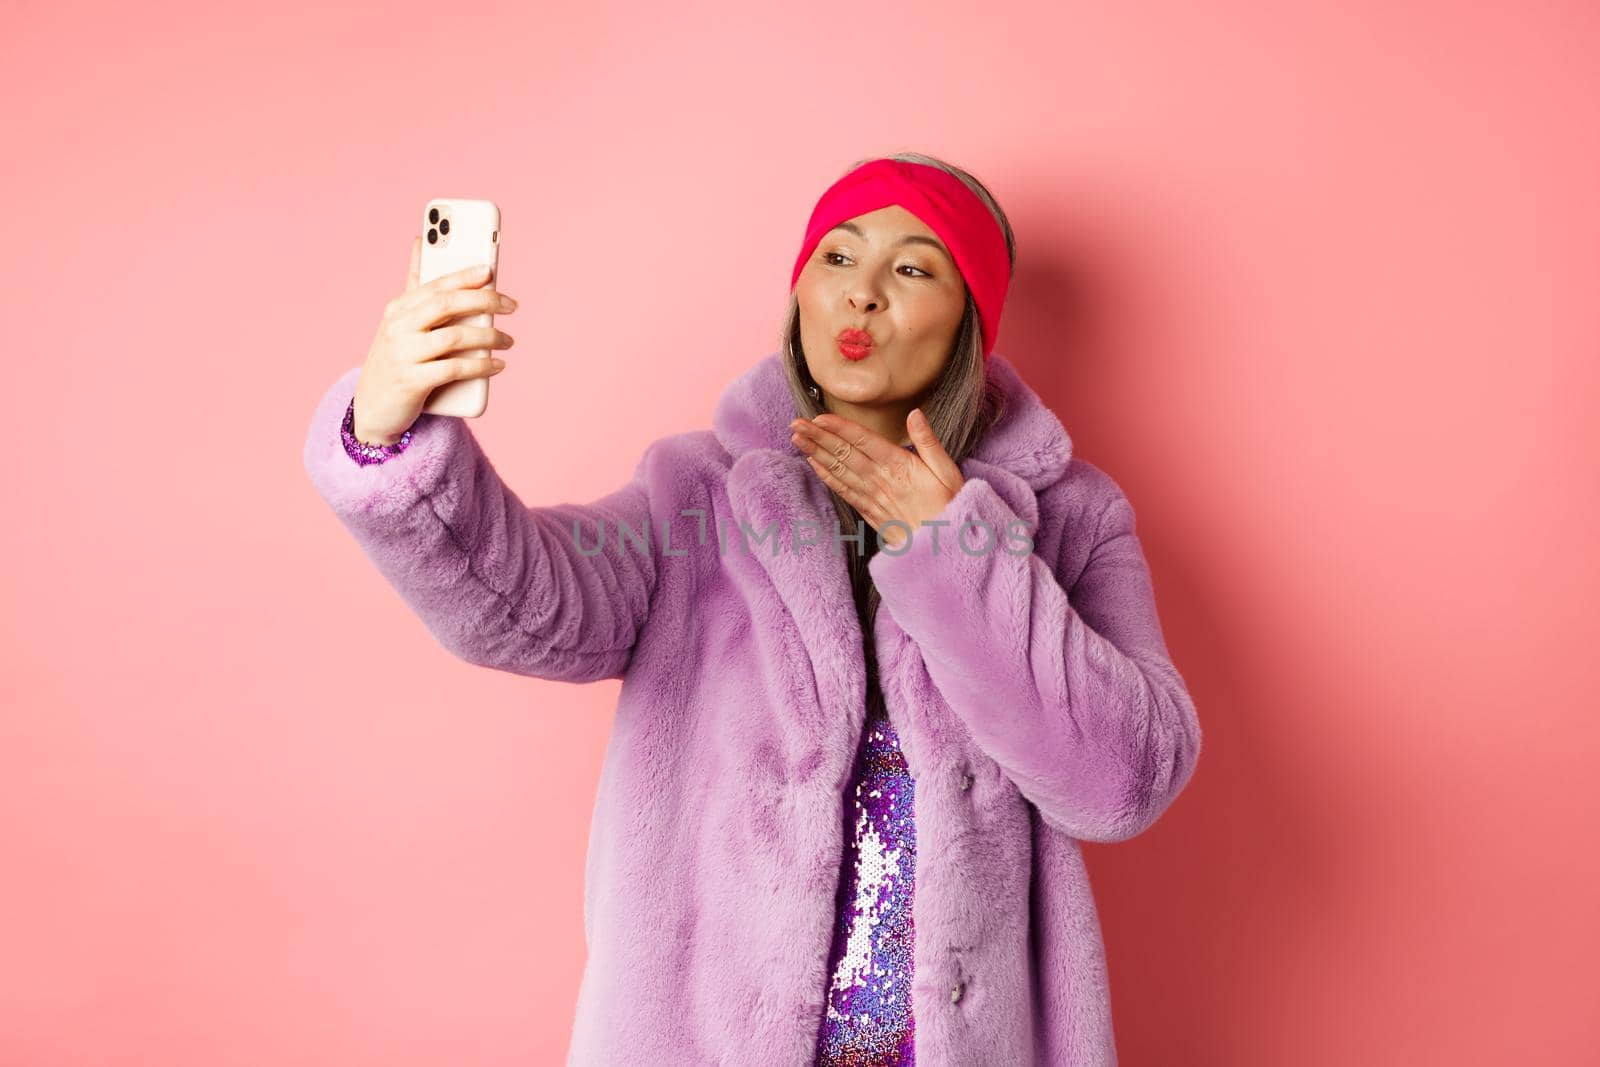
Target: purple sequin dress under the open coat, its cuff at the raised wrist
868, 1020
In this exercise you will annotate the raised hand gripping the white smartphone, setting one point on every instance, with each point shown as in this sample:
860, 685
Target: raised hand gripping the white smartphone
407, 361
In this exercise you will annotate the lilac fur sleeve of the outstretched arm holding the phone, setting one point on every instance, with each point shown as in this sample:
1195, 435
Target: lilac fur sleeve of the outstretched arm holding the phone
500, 585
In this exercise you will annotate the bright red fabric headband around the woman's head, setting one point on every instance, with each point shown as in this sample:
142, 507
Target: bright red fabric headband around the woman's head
946, 206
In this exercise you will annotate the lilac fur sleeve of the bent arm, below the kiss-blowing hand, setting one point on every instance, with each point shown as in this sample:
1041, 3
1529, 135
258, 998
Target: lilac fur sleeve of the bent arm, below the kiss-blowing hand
1071, 692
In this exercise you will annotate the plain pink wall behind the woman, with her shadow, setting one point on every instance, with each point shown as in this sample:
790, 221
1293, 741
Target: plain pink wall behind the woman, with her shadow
1318, 287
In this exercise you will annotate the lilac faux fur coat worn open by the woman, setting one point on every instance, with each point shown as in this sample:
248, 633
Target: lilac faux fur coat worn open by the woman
716, 844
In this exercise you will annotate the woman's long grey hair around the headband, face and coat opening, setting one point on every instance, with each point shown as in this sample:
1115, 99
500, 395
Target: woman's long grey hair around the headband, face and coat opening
961, 406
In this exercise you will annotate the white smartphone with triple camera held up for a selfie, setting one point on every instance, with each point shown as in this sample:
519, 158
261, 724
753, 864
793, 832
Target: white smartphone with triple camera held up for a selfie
462, 234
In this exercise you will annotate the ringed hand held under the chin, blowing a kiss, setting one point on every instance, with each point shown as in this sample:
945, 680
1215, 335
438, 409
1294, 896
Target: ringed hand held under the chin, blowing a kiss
878, 478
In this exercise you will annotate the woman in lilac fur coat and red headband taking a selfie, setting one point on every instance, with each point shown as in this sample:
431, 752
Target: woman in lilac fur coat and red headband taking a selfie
825, 833
